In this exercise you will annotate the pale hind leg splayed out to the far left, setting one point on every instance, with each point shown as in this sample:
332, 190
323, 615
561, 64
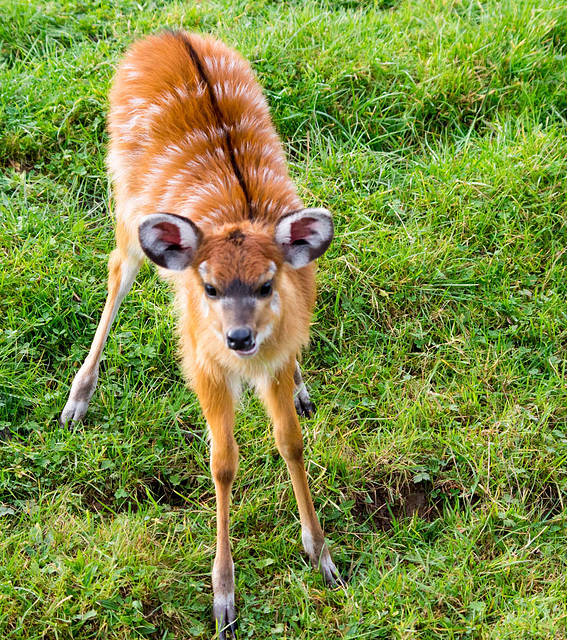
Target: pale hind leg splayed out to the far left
122, 271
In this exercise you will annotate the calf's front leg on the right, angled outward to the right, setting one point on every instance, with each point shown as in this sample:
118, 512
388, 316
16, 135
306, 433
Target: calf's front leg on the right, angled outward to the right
278, 398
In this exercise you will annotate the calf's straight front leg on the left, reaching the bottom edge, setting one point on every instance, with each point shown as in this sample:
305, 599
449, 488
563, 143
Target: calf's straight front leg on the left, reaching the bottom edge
217, 403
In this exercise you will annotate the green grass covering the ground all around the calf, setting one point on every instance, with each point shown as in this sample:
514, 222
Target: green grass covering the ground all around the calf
436, 132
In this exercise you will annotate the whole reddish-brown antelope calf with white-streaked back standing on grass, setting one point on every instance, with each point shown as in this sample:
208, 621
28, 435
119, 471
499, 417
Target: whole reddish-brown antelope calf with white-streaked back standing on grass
202, 189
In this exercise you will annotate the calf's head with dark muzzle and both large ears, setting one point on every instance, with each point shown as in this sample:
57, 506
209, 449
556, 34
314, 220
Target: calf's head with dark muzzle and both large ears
239, 267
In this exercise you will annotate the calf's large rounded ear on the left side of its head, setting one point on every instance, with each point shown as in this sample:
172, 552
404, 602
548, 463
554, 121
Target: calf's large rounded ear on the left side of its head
169, 240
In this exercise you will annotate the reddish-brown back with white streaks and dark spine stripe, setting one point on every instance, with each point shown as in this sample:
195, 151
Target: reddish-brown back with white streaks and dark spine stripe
191, 134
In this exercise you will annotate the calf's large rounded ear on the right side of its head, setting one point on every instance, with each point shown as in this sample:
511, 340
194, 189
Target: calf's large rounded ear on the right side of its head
304, 235
